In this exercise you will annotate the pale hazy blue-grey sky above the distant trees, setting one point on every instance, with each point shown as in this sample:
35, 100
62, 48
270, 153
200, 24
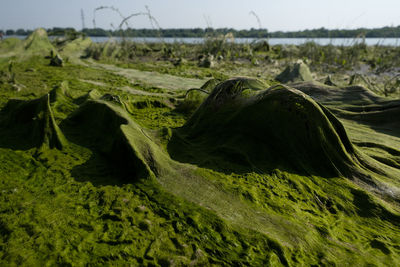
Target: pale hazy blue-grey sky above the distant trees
274, 15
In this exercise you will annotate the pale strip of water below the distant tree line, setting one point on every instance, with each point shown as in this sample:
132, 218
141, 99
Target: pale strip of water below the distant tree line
272, 41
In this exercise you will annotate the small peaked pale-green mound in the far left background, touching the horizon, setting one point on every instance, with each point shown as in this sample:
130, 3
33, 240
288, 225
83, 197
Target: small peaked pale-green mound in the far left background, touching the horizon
38, 42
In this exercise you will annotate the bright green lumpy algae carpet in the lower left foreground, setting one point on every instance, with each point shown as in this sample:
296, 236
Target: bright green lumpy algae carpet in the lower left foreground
78, 223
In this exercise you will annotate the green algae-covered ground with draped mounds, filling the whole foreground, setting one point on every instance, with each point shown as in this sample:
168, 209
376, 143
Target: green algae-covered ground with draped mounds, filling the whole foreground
100, 166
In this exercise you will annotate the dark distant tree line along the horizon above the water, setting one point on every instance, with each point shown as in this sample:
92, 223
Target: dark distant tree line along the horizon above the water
385, 32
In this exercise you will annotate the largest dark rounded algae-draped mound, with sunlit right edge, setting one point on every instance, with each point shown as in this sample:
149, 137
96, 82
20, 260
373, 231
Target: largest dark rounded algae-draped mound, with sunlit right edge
240, 125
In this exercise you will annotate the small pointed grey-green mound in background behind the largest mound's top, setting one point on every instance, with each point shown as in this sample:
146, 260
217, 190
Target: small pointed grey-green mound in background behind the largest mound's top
296, 72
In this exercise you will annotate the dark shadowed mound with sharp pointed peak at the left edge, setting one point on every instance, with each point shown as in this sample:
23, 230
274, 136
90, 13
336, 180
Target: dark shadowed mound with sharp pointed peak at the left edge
27, 124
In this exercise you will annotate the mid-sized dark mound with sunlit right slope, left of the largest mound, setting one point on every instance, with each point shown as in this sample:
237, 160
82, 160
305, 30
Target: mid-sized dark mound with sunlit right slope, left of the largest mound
107, 129
